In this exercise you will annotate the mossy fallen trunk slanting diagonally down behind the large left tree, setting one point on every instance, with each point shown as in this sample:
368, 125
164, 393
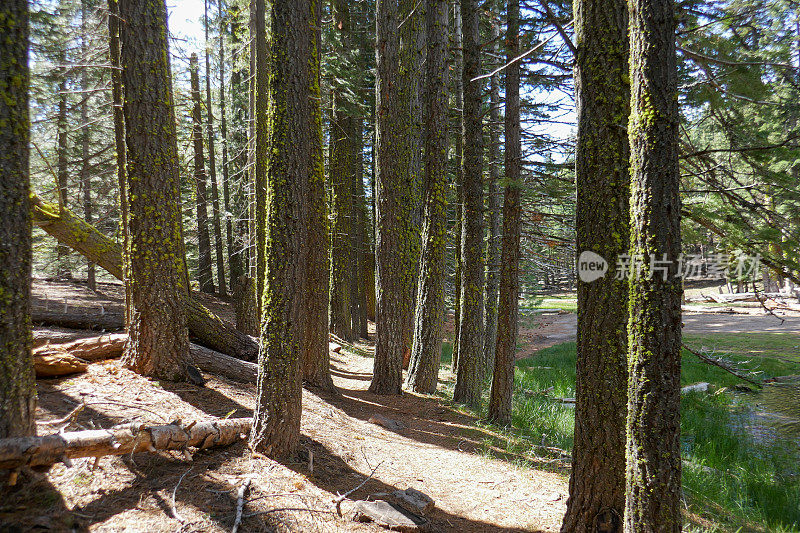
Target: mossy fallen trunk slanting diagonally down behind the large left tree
72, 231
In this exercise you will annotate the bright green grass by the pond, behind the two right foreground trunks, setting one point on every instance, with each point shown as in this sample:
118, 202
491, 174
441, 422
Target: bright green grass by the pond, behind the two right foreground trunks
731, 477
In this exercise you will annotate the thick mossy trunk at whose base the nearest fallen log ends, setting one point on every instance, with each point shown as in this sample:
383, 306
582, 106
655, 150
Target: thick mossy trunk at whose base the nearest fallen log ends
291, 151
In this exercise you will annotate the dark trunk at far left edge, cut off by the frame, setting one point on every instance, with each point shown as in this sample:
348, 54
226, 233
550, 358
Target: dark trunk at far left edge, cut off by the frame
18, 384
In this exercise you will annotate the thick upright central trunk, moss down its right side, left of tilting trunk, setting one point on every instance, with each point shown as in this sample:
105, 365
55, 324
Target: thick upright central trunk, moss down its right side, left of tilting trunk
395, 251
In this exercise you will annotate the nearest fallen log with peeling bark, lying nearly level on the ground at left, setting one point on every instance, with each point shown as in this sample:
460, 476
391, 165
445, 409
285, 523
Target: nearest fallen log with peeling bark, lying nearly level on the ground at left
119, 440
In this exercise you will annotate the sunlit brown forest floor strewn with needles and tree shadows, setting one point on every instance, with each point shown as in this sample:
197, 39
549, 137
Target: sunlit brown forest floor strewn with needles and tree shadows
440, 450
